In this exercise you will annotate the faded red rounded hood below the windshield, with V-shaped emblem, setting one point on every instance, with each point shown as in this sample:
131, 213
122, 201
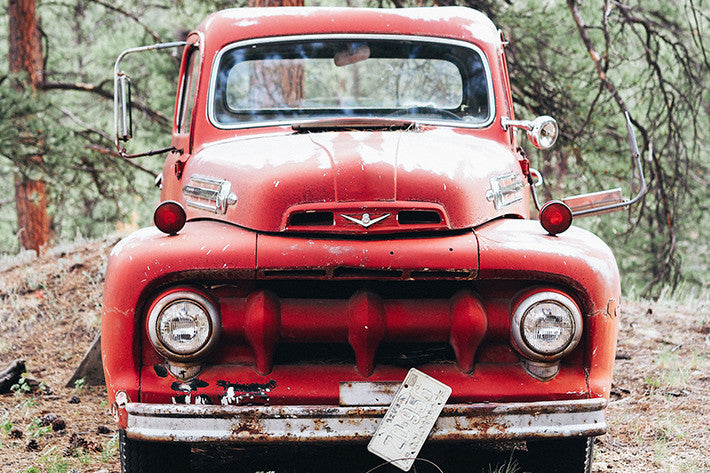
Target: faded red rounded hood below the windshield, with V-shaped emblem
353, 173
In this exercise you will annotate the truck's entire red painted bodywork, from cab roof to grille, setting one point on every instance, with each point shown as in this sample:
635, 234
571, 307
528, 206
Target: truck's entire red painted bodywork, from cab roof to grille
353, 289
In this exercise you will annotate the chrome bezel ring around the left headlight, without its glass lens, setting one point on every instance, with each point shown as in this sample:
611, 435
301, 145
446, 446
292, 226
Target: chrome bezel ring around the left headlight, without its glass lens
210, 315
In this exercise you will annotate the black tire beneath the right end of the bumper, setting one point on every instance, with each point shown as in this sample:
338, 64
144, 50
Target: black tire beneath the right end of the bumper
566, 455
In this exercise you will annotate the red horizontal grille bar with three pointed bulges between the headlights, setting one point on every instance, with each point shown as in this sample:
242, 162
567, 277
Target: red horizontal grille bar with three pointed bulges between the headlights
364, 321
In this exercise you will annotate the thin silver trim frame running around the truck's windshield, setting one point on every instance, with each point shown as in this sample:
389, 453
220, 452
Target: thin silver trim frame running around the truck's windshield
355, 37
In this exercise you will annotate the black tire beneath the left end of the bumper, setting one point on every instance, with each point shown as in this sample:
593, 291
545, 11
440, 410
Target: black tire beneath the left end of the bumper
138, 456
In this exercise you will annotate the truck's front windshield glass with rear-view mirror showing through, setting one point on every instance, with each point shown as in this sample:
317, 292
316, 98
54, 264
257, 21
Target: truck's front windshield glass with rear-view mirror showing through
291, 81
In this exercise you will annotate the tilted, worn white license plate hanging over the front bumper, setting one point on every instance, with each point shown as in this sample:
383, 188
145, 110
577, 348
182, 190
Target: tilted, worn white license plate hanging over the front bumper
406, 425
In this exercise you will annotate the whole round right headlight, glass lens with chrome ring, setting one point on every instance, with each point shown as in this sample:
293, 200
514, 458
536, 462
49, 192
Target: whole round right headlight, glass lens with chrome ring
546, 325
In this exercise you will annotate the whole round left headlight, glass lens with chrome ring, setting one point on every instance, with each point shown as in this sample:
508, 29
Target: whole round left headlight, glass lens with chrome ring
183, 325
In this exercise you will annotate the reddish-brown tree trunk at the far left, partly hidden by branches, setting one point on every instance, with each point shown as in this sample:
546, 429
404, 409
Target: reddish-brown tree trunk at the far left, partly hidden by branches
25, 57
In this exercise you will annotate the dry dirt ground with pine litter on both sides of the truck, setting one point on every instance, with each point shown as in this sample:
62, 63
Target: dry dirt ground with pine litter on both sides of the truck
659, 415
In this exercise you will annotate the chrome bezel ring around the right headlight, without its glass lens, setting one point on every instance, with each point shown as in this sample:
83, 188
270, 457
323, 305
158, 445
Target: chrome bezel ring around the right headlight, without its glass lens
524, 309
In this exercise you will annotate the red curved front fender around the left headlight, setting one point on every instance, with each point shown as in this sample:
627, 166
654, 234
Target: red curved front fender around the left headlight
147, 259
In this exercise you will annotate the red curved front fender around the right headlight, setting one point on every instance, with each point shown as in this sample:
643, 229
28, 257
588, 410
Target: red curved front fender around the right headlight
522, 249
